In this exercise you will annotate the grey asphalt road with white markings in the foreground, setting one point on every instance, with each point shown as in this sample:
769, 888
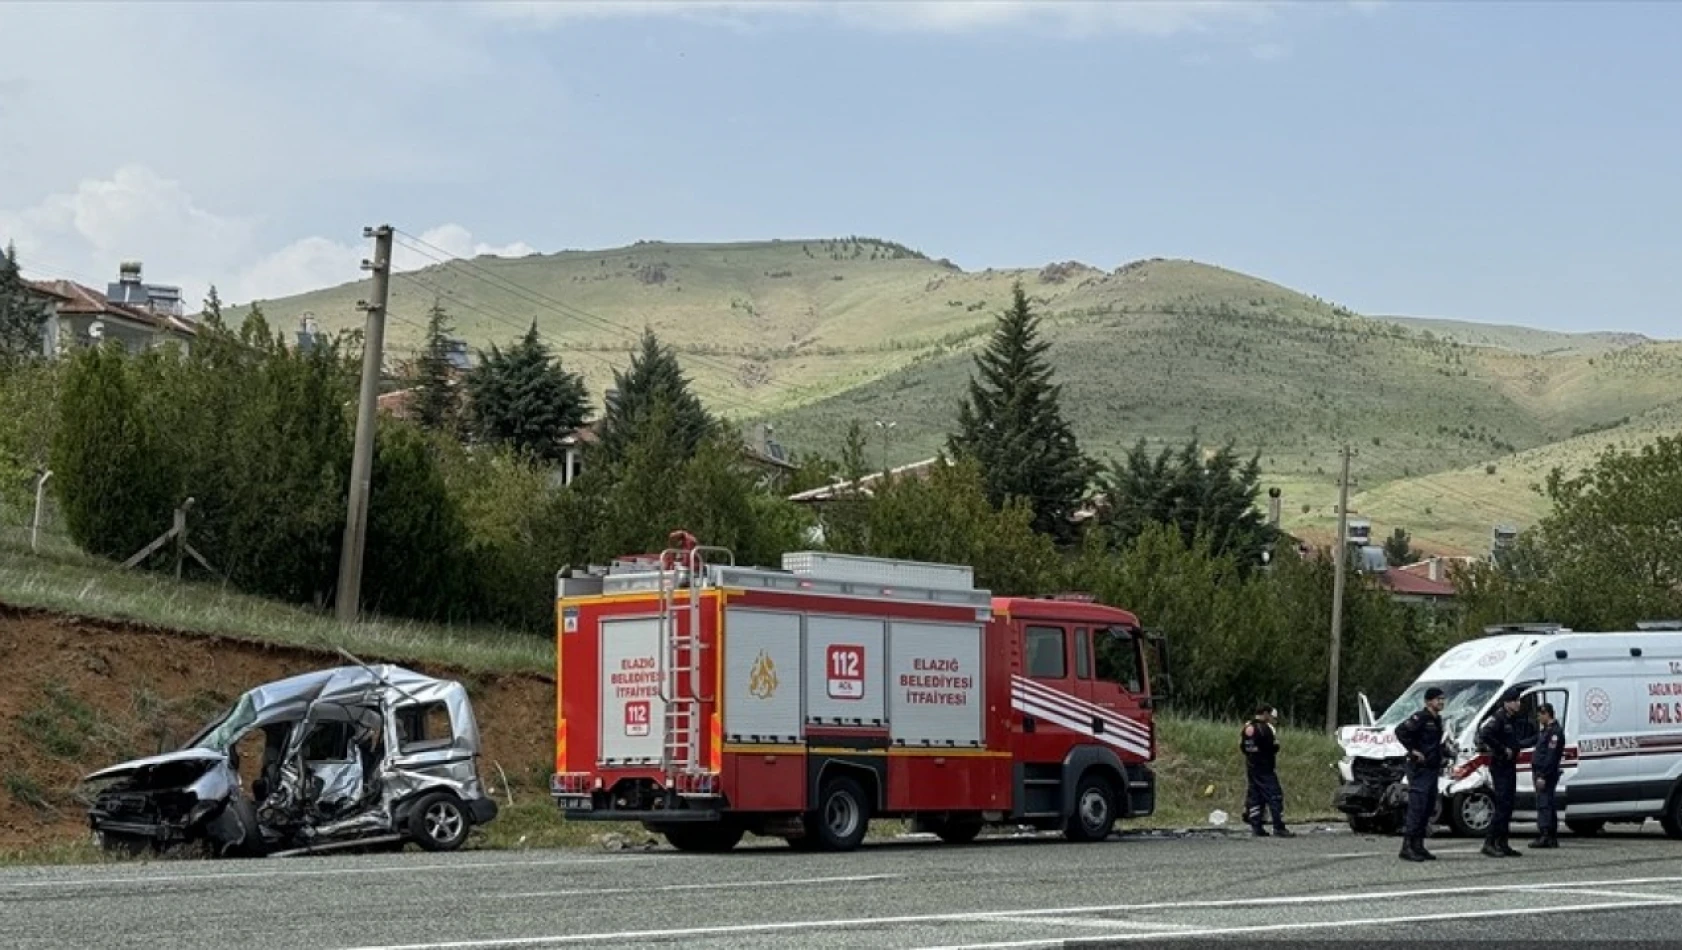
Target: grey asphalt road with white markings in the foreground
1131, 890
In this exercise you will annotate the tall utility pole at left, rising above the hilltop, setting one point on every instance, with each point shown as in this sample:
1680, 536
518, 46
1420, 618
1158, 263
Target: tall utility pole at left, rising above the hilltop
362, 462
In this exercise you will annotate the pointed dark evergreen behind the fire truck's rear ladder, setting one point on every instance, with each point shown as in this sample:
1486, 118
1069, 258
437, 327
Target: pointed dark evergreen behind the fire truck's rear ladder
653, 379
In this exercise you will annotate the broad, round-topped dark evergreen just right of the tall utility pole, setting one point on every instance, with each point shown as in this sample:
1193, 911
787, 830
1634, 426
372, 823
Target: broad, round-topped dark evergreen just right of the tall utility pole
526, 399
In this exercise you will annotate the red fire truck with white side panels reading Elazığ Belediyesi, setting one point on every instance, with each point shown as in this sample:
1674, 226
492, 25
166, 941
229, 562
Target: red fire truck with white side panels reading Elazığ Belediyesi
709, 700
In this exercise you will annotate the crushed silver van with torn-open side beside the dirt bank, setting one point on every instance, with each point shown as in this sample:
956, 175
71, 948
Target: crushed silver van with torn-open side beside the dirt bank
349, 757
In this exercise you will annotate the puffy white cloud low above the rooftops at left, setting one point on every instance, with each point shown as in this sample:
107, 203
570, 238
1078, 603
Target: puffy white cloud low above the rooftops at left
140, 216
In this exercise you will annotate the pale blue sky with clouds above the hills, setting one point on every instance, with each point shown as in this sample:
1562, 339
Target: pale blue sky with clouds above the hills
1478, 161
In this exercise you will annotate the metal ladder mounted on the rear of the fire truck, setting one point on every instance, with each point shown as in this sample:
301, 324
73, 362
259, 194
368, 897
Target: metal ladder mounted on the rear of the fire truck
682, 687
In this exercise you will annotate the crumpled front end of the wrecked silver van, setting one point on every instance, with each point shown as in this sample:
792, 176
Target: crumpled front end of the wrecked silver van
188, 798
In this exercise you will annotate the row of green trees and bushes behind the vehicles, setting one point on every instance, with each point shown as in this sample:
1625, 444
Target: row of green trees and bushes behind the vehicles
468, 520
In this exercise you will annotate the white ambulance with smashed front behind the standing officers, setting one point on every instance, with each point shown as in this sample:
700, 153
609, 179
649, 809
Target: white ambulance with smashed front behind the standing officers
1617, 695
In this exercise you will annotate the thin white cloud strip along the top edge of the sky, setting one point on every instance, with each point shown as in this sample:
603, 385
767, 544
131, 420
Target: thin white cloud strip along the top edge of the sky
1153, 18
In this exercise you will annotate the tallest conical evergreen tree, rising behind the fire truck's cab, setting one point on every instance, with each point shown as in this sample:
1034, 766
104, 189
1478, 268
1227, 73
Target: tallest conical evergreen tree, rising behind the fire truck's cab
1013, 426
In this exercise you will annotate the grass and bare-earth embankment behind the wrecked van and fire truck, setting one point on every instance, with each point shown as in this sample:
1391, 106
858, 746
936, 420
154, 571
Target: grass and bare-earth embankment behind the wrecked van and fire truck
107, 670
